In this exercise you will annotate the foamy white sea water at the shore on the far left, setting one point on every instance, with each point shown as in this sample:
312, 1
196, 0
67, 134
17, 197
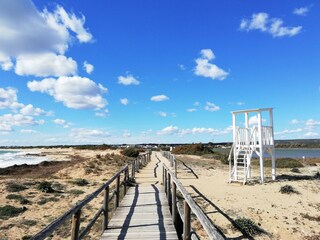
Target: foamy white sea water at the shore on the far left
10, 158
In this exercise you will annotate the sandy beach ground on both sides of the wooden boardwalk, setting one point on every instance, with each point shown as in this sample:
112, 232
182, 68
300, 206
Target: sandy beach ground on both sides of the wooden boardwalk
281, 216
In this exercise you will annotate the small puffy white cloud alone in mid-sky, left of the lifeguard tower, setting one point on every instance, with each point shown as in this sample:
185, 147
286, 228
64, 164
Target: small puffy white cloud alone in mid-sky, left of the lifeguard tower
205, 68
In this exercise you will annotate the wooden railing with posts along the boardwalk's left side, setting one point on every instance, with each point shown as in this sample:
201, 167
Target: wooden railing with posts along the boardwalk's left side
75, 212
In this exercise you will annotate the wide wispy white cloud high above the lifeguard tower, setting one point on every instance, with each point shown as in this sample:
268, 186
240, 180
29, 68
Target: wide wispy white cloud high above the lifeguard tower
274, 26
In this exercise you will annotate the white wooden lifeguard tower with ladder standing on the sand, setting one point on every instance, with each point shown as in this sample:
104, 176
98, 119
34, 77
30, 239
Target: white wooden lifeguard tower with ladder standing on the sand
254, 139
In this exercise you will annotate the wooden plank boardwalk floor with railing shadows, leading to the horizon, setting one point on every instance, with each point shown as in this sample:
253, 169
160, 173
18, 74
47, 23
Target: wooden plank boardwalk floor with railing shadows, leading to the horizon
144, 211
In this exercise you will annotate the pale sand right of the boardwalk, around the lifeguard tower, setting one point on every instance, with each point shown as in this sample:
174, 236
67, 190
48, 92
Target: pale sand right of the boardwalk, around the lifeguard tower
281, 216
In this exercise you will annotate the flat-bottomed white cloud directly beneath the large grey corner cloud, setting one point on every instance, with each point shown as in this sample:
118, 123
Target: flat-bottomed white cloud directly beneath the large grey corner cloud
43, 65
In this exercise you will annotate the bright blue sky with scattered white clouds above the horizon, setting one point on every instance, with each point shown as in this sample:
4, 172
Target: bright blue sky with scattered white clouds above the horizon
134, 71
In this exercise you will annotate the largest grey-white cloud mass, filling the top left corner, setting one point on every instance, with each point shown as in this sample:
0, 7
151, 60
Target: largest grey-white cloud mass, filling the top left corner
38, 39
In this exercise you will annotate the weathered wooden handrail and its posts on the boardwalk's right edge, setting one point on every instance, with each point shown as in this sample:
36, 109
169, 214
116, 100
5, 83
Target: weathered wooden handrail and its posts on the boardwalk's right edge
190, 204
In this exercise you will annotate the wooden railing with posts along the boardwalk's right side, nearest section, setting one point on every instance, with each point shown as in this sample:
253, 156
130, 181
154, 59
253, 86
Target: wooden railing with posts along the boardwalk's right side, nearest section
172, 184
